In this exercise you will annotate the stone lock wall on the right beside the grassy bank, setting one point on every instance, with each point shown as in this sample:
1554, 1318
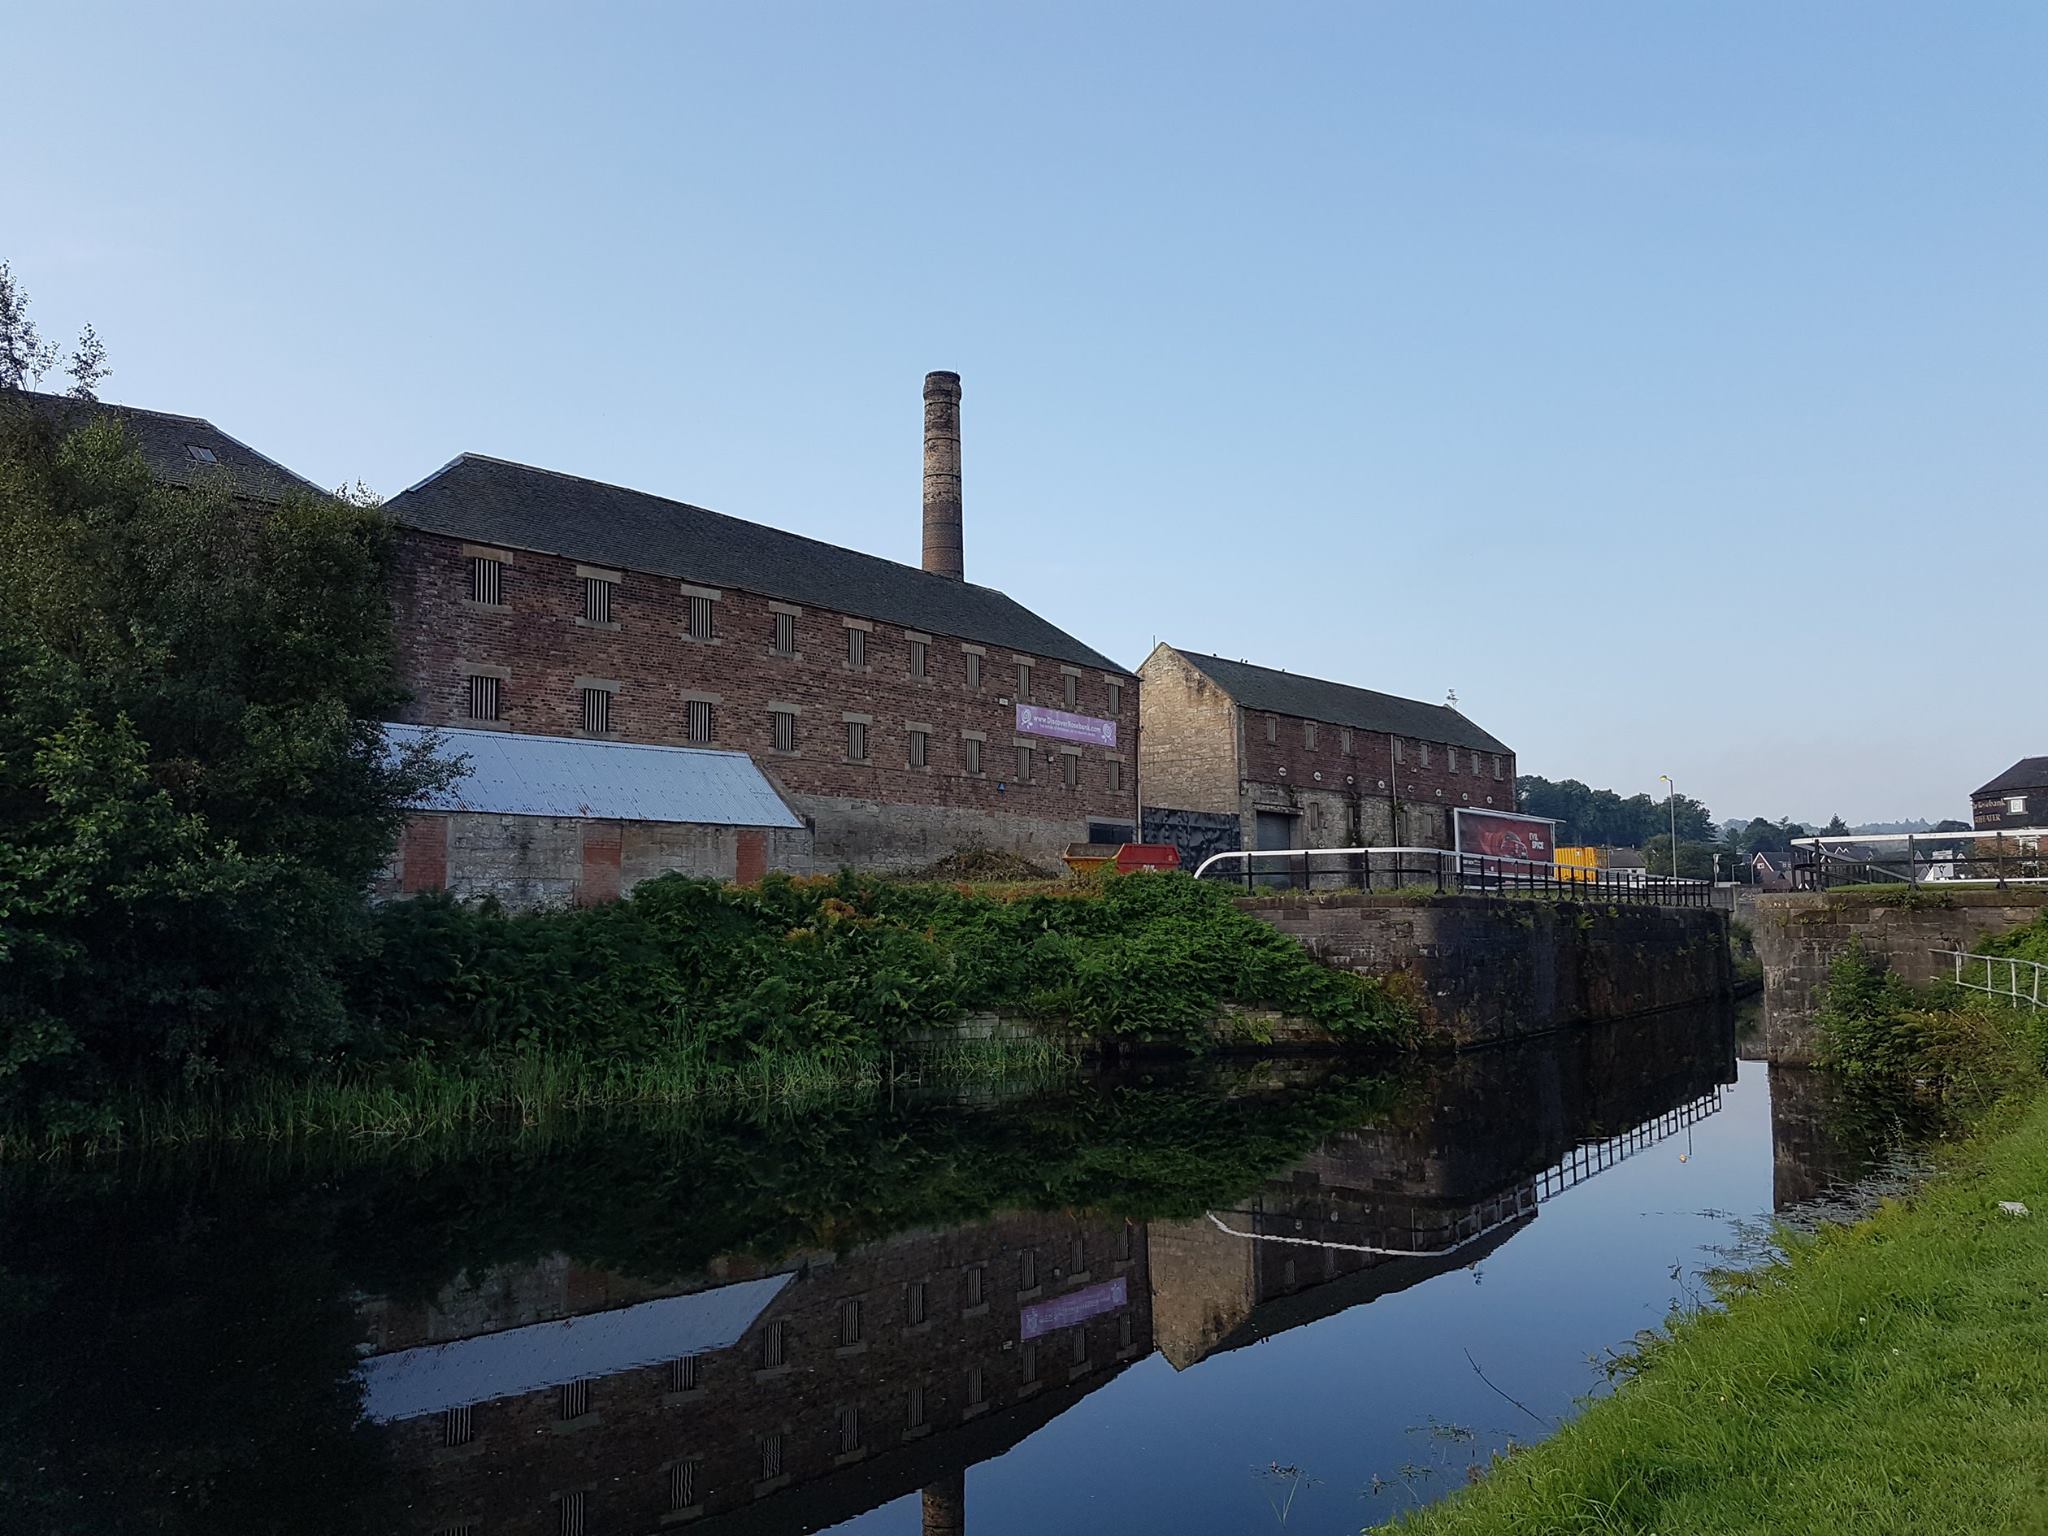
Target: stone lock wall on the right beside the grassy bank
1803, 933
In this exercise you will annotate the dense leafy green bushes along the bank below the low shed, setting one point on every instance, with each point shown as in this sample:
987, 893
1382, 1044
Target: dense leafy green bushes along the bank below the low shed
845, 964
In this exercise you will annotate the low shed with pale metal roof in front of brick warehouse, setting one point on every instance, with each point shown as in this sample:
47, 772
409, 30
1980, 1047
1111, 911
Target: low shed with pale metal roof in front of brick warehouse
542, 820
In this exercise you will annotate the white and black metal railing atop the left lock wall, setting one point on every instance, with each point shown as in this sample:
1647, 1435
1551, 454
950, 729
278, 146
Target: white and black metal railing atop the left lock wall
1447, 873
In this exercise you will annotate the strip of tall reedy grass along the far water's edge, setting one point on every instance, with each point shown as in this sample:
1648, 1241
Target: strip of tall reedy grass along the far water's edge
425, 1097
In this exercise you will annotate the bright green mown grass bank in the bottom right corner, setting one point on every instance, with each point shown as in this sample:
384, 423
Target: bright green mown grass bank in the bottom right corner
1885, 1377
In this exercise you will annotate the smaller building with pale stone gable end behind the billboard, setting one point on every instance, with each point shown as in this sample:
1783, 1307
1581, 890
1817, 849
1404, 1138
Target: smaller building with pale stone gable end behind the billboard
1246, 757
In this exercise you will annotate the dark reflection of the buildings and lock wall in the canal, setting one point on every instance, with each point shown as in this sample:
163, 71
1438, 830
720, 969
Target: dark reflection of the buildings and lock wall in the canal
779, 1398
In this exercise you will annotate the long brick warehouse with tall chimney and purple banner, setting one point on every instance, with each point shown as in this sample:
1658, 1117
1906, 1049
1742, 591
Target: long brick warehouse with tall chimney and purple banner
904, 712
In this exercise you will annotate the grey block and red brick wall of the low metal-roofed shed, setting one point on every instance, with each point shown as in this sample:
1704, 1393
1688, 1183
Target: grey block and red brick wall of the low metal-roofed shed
540, 861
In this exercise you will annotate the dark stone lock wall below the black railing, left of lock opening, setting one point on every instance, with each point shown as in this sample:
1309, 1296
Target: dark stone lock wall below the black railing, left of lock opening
1500, 970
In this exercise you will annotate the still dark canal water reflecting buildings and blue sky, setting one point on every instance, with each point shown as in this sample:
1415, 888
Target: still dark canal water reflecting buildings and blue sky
1234, 1299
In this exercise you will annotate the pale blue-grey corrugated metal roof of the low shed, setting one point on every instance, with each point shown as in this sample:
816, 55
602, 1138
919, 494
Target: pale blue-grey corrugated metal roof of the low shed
609, 781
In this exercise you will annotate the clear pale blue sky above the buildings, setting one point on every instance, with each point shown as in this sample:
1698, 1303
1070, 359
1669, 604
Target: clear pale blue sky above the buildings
1664, 380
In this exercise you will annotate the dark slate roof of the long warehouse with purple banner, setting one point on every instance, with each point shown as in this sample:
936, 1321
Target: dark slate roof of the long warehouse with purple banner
519, 507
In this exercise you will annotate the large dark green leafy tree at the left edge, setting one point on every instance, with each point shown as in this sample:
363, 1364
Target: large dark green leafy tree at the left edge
196, 787
